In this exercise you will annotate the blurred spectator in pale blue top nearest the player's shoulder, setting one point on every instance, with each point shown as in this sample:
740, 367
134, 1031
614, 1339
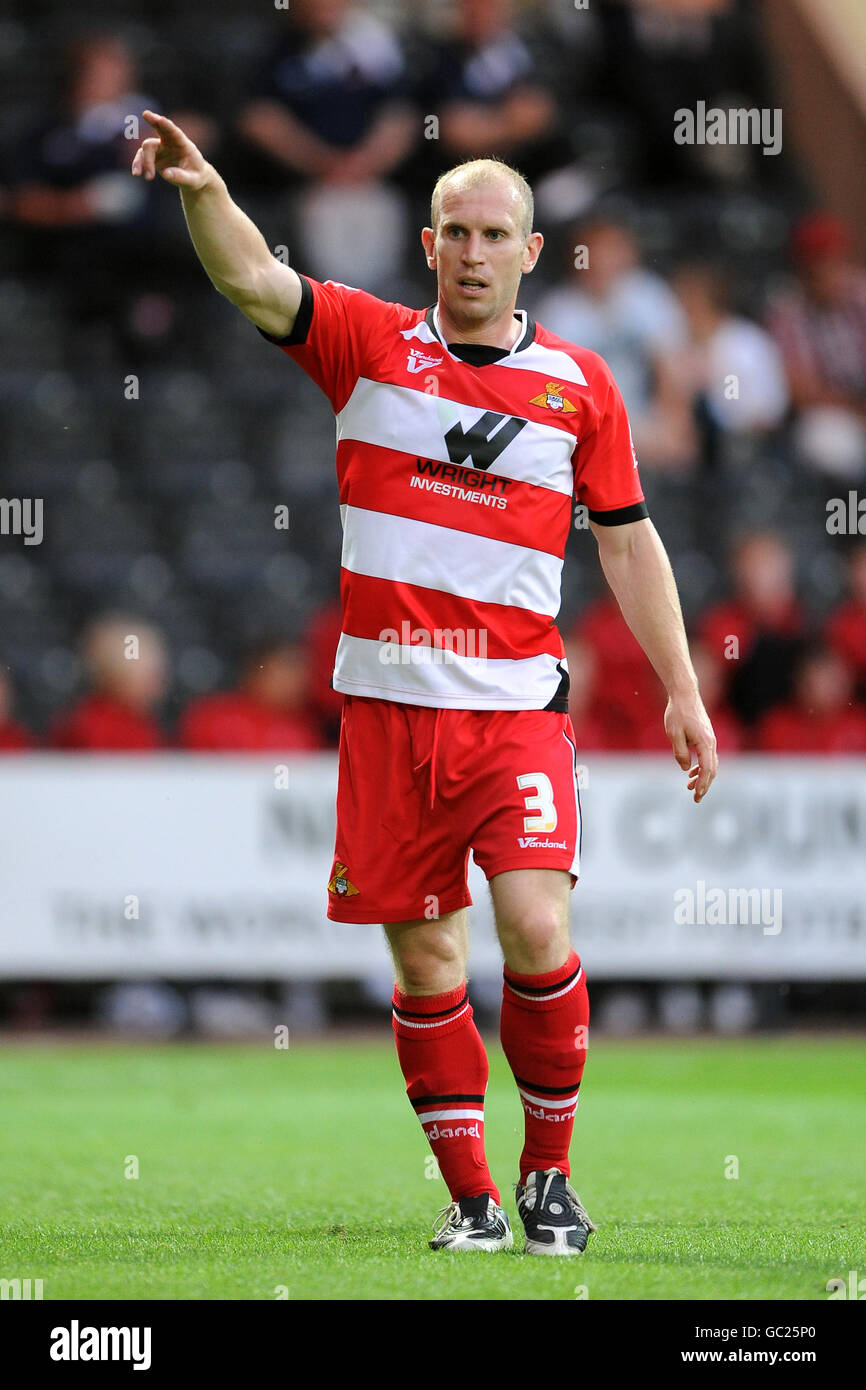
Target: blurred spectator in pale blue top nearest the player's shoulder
629, 315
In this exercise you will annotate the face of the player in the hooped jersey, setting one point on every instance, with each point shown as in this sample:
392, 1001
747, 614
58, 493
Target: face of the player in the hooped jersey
479, 251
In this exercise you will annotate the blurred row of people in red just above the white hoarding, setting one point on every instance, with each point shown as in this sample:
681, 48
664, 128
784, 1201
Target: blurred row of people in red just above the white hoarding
772, 679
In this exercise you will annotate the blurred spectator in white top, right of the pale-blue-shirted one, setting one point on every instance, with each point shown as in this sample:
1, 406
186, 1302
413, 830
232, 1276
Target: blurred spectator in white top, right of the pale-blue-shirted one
730, 368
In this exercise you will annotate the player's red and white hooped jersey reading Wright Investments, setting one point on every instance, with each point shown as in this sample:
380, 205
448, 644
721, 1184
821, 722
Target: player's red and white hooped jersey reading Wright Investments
458, 466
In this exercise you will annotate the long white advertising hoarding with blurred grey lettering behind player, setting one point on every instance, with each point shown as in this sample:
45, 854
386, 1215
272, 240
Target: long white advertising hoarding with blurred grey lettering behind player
197, 867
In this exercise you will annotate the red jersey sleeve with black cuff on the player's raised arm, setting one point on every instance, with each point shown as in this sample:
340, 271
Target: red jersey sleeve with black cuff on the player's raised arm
333, 334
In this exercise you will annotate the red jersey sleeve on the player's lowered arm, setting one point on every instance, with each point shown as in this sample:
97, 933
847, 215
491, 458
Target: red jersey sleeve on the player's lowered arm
607, 465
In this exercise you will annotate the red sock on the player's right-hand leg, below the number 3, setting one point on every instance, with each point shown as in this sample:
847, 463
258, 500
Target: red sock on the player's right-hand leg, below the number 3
544, 1031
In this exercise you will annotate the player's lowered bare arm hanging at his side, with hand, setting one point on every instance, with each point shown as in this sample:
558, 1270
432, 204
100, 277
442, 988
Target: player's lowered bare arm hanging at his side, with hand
637, 569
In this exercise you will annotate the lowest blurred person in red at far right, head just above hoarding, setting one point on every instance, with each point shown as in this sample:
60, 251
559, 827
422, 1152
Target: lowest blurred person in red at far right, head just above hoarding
822, 718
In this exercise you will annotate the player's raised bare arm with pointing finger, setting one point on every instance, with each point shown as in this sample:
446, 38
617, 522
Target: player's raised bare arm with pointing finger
230, 247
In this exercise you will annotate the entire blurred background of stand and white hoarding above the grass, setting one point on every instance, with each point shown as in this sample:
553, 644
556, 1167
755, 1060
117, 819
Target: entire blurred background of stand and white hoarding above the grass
168, 811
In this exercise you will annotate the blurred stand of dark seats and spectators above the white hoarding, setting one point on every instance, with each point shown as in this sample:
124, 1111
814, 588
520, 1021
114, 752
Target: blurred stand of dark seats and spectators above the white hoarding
729, 305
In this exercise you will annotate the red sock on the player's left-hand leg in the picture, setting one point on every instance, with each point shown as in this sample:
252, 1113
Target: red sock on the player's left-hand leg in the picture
446, 1067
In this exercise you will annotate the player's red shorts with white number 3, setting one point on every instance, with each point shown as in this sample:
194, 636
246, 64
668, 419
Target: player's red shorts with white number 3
422, 787
